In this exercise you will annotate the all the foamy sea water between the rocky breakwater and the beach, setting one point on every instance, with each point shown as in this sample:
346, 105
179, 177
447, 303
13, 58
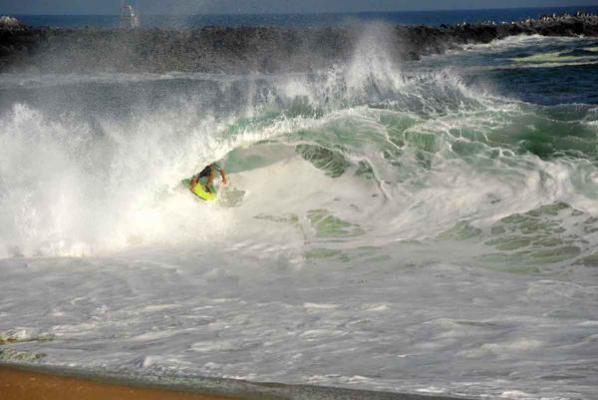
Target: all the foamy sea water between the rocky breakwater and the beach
423, 227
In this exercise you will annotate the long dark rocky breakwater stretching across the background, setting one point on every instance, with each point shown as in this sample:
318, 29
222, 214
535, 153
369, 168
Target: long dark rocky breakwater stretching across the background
247, 49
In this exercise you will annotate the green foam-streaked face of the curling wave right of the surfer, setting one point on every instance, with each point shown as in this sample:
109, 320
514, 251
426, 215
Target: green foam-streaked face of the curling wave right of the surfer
548, 154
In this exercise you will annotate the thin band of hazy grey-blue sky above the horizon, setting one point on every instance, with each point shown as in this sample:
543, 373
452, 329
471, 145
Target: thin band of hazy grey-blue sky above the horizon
263, 6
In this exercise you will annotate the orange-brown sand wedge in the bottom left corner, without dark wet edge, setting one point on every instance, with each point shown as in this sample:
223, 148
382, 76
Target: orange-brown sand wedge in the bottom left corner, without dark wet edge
22, 384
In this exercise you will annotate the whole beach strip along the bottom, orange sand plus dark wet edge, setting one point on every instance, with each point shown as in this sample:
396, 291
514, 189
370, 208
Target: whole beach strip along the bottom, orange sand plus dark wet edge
33, 382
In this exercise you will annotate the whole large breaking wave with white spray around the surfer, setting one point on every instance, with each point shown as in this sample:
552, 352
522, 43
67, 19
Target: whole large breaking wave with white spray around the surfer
356, 154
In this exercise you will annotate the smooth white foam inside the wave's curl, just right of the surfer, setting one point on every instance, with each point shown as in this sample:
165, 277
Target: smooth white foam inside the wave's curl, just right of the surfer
279, 199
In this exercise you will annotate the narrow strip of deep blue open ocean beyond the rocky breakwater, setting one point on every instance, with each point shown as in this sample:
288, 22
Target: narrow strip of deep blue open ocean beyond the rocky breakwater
433, 18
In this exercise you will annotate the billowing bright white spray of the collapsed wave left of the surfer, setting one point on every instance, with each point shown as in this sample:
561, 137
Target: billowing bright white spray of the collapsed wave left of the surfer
68, 191
